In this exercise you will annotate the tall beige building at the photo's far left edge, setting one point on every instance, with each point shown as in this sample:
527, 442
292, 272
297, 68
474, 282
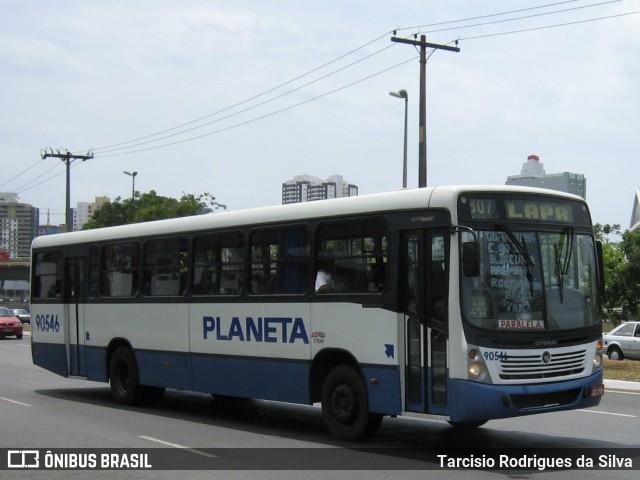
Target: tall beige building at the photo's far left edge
18, 226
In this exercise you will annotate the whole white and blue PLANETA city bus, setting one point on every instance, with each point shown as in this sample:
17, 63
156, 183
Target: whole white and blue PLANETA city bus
463, 303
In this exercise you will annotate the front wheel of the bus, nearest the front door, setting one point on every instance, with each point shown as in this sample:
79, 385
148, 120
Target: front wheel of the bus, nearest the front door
345, 405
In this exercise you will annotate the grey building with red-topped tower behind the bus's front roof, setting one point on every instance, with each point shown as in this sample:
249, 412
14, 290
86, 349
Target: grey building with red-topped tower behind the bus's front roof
534, 175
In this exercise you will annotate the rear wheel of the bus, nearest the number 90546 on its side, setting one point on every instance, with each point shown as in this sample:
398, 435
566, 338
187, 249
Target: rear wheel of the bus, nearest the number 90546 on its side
125, 382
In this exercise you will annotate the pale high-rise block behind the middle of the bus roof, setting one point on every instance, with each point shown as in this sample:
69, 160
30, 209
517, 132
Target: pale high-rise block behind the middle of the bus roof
307, 188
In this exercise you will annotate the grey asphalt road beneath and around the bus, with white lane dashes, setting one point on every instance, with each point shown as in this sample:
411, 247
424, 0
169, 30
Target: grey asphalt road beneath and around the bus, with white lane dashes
258, 439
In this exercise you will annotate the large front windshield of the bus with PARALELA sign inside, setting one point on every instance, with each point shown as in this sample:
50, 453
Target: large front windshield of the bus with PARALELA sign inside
531, 280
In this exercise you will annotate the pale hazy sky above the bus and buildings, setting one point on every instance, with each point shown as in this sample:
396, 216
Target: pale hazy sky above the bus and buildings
233, 98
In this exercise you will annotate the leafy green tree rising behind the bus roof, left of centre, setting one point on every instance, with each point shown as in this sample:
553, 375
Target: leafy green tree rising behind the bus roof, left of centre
150, 206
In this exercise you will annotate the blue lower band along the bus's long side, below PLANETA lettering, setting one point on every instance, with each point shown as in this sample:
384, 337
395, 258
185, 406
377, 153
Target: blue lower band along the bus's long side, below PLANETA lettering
279, 380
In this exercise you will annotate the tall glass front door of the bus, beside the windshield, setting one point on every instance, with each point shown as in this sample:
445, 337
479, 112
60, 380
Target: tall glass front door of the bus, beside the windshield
424, 285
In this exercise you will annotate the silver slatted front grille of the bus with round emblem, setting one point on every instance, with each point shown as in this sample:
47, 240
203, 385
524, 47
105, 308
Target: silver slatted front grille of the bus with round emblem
542, 365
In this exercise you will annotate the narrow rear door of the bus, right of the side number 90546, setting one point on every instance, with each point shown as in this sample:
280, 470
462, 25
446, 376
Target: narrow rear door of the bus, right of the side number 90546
74, 313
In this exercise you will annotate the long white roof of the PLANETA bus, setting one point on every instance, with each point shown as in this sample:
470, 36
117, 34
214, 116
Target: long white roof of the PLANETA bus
441, 196
